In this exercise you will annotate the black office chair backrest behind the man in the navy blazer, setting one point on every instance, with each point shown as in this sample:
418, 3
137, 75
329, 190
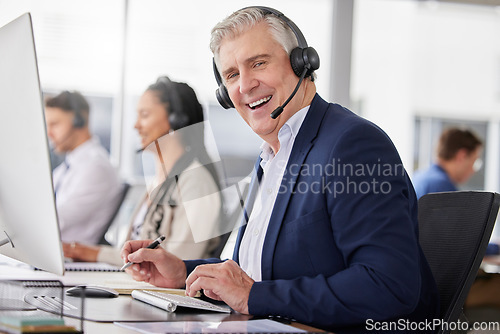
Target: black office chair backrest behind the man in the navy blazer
454, 229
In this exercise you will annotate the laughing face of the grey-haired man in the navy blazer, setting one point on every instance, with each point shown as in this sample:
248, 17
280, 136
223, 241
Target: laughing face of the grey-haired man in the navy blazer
257, 73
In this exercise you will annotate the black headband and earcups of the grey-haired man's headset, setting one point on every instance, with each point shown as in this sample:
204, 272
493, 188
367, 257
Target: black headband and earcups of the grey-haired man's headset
301, 57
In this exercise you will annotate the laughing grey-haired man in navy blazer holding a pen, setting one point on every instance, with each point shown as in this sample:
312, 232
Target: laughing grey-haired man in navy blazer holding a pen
331, 239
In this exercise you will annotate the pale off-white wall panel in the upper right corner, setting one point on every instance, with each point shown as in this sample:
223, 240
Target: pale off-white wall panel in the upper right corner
457, 61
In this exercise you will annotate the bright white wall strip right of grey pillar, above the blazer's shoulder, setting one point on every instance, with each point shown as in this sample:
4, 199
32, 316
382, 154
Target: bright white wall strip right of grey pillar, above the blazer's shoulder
382, 68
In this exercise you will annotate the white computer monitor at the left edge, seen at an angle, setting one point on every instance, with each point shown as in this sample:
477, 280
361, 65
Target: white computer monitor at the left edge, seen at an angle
29, 228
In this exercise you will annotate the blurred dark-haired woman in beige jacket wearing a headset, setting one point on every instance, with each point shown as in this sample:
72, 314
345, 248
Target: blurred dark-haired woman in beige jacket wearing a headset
183, 172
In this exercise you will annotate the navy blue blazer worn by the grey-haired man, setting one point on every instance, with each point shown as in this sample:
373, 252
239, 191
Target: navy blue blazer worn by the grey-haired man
342, 242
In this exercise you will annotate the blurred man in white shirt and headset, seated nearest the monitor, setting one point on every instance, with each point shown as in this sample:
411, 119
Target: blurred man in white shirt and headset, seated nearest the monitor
86, 185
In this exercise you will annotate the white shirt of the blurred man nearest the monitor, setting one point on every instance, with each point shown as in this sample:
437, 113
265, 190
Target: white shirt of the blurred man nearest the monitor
87, 191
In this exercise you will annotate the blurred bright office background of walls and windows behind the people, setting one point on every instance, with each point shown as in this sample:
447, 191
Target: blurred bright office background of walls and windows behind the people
412, 67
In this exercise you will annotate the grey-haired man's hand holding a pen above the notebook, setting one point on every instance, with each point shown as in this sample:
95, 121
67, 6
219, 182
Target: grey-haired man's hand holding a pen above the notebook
154, 266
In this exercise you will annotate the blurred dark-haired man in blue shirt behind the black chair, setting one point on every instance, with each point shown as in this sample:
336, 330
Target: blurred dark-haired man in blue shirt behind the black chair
457, 156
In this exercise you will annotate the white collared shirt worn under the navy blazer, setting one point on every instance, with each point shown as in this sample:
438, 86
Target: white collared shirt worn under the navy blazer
273, 166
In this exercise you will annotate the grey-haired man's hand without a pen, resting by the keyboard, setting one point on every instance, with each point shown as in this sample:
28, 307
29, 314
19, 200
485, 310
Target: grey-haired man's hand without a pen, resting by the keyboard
223, 281
